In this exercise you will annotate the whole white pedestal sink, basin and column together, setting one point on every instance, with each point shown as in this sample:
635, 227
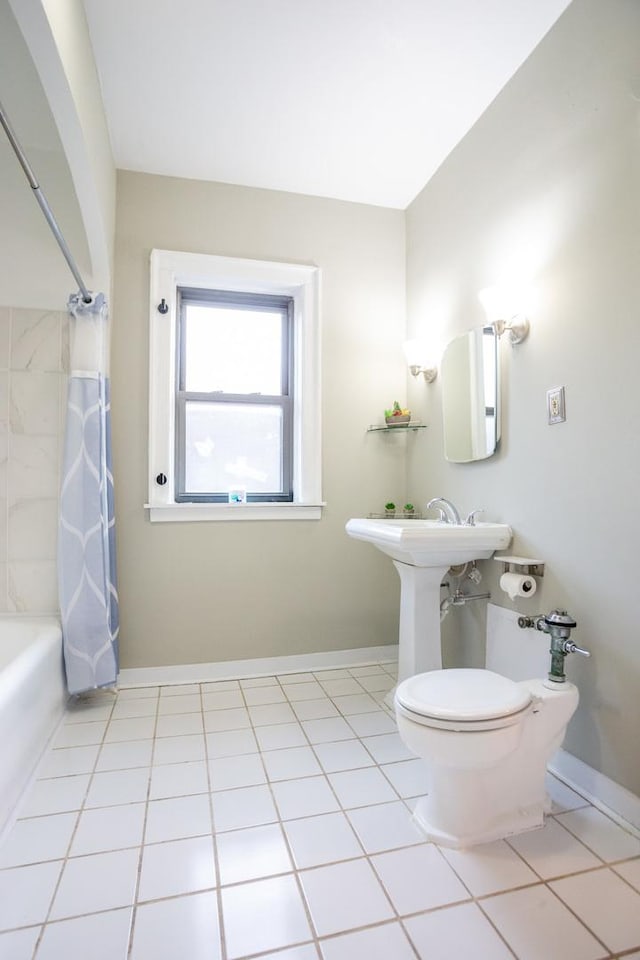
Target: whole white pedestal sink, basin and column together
422, 551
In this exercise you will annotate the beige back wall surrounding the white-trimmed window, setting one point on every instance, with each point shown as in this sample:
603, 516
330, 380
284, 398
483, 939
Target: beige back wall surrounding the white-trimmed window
199, 592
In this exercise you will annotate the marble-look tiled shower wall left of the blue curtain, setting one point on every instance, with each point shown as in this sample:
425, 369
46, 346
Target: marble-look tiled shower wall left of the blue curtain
33, 383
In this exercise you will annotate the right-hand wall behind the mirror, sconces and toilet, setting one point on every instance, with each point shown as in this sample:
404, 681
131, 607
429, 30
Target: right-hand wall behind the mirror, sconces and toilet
547, 184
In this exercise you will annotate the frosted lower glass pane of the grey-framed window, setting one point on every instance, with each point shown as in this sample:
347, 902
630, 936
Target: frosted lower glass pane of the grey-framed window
230, 446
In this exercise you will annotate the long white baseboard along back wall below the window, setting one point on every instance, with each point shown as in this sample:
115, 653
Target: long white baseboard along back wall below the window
263, 667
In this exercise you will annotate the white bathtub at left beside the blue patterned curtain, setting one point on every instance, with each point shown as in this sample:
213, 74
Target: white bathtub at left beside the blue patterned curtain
32, 699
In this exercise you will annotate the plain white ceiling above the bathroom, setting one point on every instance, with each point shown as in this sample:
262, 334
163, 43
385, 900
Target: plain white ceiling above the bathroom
354, 99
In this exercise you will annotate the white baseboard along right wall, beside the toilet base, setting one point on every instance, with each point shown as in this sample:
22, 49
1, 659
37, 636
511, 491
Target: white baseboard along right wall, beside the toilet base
605, 794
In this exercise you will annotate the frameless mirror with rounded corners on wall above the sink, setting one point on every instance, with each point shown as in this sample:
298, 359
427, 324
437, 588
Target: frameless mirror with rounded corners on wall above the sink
470, 396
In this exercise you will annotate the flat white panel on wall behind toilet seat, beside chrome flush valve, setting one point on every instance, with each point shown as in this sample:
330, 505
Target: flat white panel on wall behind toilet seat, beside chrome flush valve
515, 653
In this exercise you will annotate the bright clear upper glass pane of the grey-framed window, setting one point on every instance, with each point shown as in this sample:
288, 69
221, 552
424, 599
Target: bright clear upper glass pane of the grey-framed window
234, 350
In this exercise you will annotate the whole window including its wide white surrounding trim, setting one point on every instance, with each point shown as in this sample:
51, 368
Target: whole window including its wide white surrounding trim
234, 389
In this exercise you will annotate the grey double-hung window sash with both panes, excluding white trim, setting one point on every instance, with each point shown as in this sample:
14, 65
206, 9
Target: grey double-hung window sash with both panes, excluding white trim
234, 397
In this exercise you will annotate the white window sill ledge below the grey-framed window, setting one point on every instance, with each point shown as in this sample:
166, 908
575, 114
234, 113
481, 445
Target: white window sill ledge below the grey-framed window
190, 512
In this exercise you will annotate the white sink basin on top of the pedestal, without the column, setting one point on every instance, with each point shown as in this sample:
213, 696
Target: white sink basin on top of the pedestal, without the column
431, 543
